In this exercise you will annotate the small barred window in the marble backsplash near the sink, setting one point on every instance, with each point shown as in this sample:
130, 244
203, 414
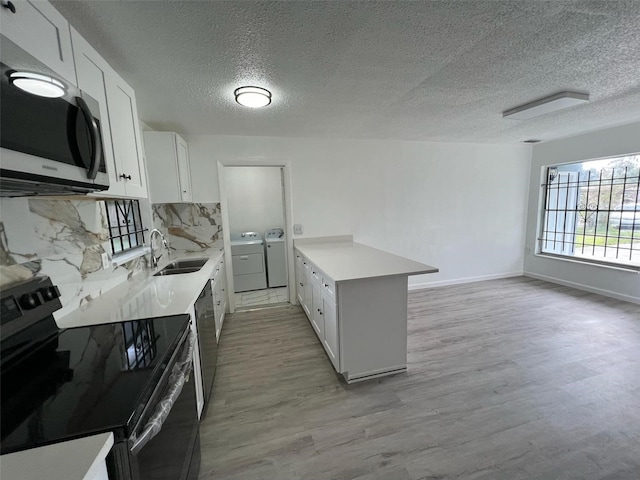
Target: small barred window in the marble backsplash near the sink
125, 225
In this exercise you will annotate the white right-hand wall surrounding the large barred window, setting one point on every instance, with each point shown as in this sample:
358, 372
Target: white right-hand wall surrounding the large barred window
605, 143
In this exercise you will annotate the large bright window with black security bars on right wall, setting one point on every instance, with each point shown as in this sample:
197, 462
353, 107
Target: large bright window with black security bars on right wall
592, 211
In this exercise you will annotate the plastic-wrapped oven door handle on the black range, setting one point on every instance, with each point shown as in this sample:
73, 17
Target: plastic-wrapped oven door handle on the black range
177, 379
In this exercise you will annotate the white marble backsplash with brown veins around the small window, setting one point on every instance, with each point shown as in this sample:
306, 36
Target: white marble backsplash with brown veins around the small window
65, 239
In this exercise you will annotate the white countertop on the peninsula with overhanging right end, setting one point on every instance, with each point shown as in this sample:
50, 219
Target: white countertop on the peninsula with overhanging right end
347, 260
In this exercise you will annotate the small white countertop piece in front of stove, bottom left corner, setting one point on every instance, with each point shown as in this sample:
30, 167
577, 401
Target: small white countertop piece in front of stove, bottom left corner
78, 459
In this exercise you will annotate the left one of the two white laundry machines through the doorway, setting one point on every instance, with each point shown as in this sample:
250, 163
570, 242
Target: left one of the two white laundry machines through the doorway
247, 254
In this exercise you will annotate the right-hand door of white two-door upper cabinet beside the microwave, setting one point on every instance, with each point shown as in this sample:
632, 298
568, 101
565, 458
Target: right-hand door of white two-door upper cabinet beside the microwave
125, 133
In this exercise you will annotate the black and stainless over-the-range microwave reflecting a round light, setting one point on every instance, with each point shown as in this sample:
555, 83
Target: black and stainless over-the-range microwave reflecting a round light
50, 131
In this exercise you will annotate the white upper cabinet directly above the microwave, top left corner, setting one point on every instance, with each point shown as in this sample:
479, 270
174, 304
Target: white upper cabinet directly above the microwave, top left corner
38, 28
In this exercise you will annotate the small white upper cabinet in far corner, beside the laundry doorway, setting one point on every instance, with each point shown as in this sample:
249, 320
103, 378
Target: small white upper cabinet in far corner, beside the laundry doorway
168, 167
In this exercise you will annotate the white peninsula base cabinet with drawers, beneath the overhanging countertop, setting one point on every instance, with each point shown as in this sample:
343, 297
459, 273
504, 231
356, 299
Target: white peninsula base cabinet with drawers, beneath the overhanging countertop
360, 322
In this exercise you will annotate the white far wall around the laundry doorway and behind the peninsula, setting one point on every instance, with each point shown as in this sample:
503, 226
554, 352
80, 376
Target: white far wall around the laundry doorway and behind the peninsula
460, 207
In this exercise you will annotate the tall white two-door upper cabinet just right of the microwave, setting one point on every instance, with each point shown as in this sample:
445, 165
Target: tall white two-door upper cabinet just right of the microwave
120, 125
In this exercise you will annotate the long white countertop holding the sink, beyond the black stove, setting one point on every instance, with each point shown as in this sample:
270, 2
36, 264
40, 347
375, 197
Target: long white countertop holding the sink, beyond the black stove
145, 296
